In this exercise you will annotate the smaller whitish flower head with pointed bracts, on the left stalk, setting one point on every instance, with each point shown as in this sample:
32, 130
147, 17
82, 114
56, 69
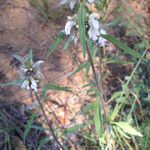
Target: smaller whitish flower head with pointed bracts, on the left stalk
29, 72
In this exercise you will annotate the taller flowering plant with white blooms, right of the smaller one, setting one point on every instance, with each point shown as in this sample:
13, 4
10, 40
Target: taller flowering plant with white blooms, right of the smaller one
88, 27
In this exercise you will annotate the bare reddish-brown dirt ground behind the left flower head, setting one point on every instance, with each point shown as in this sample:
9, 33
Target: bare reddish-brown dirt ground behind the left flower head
22, 28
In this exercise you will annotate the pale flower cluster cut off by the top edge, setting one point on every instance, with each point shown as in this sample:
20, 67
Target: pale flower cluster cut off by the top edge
72, 3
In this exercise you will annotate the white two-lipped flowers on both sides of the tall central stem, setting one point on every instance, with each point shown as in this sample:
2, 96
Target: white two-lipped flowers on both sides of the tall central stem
93, 28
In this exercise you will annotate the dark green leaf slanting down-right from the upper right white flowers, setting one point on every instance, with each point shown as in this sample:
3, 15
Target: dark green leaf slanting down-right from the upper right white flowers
119, 44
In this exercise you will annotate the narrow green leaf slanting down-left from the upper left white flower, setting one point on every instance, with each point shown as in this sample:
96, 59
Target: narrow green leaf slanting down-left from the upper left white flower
55, 43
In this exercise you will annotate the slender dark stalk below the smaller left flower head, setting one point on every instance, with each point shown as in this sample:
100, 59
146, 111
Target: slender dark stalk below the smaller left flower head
45, 116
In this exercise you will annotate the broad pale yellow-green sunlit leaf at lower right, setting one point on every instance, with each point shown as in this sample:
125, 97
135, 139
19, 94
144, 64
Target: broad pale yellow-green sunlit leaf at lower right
128, 128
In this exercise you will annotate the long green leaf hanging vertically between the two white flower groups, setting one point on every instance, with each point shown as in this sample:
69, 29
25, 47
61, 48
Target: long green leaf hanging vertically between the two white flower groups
81, 23
